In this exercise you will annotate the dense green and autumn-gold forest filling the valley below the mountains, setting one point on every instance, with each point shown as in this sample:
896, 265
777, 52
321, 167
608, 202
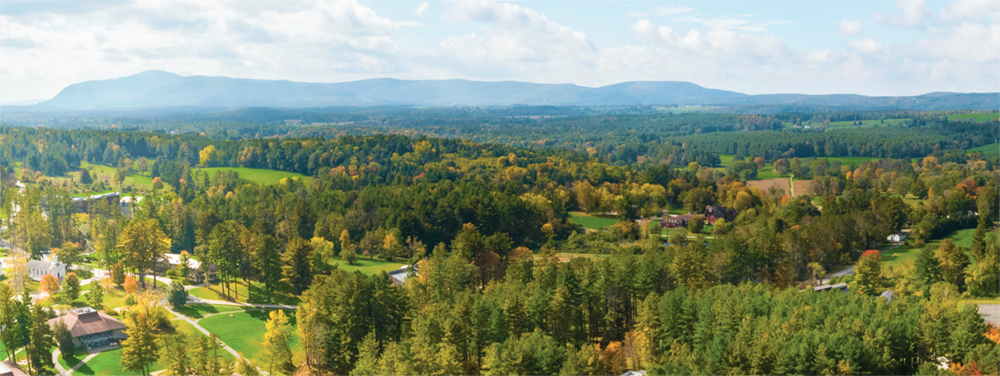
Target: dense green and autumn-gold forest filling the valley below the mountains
503, 282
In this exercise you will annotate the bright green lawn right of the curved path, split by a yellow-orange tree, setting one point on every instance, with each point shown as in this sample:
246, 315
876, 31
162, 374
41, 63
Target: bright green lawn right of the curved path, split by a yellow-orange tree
244, 332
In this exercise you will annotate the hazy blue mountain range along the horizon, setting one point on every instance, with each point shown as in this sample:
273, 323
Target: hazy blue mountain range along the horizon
159, 90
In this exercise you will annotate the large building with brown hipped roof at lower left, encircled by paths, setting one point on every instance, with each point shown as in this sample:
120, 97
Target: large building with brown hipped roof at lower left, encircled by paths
92, 329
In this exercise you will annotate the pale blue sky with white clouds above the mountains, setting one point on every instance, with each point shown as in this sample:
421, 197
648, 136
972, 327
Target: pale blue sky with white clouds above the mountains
874, 47
